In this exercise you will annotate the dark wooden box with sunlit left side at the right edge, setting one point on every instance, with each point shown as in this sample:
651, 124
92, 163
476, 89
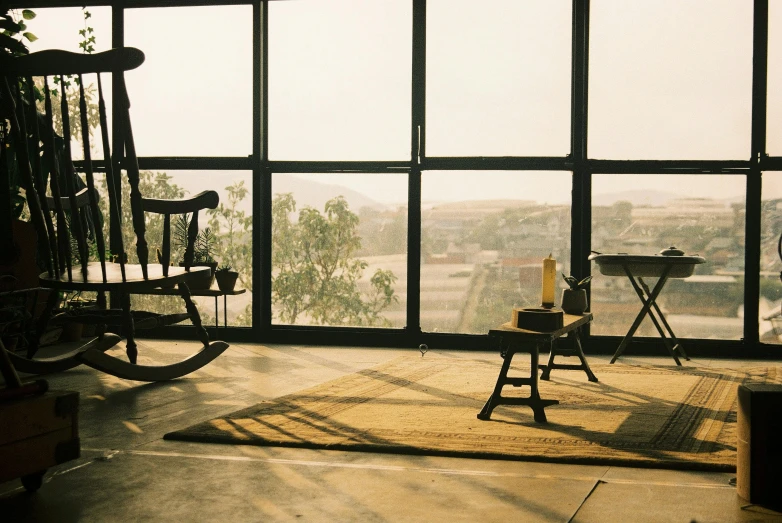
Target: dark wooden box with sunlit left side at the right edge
759, 446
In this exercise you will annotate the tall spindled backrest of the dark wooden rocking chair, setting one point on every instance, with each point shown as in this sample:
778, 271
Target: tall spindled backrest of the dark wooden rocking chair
44, 153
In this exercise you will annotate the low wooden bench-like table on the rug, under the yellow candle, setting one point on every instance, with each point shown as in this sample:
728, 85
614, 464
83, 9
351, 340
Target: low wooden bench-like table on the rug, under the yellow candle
514, 340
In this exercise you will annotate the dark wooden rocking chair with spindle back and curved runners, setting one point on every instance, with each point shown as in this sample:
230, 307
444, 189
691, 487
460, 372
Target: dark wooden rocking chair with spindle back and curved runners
72, 215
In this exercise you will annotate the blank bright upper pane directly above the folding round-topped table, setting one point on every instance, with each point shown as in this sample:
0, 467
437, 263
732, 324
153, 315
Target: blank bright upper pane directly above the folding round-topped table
670, 79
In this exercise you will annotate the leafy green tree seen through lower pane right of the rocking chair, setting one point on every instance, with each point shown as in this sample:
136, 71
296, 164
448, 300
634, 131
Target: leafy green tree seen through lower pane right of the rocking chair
315, 269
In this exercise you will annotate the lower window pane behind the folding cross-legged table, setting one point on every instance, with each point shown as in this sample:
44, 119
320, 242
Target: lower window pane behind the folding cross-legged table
643, 214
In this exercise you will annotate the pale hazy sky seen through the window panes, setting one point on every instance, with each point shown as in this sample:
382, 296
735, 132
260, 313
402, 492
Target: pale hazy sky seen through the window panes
668, 79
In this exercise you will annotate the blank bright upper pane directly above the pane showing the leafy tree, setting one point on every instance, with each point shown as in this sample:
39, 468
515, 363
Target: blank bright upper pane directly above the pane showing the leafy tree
339, 80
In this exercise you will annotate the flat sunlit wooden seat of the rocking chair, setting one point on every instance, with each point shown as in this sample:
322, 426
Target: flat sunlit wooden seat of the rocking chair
134, 280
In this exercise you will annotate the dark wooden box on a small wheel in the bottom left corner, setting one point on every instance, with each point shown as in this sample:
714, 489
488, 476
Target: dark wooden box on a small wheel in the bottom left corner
36, 433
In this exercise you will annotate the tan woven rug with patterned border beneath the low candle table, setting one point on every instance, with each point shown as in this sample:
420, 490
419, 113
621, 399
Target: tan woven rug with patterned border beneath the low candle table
637, 415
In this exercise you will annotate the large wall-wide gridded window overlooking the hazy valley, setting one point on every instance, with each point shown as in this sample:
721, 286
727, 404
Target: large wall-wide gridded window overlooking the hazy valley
399, 168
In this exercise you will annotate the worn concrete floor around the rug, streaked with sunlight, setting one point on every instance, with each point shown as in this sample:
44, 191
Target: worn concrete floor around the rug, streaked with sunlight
128, 473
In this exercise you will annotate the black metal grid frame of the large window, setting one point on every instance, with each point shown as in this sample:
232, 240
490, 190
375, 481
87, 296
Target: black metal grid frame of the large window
577, 161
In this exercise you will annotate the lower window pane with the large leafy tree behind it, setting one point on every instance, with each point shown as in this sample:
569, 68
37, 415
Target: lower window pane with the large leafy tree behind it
339, 249
